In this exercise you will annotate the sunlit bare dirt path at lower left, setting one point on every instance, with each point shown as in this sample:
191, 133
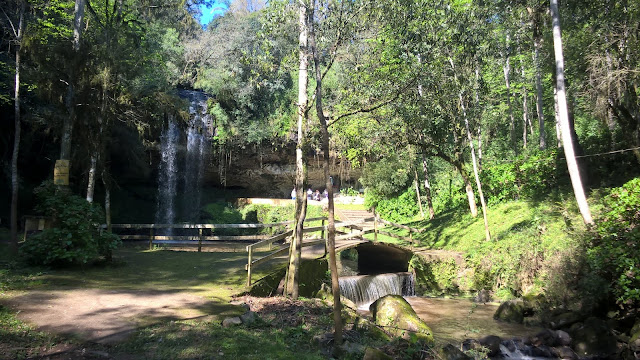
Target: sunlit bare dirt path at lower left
105, 316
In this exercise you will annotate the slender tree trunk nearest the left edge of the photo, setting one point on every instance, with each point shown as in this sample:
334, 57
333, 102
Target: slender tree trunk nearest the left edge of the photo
16, 136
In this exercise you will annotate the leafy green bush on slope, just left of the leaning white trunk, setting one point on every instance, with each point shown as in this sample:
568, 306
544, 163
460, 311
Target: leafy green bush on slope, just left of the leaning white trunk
529, 176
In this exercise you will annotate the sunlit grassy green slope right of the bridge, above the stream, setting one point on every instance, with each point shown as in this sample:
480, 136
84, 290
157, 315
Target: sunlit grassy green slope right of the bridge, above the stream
530, 243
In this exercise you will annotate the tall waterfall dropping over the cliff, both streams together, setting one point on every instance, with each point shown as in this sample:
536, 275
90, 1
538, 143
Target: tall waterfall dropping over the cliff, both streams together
184, 157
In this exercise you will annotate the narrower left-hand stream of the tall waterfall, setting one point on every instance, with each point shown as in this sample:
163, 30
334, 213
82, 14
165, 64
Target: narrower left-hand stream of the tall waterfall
168, 174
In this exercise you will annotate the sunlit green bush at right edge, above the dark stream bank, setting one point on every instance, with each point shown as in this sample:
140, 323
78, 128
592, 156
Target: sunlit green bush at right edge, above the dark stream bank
614, 253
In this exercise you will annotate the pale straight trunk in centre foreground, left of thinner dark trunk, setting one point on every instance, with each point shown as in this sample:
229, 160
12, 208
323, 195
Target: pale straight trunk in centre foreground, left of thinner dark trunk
295, 254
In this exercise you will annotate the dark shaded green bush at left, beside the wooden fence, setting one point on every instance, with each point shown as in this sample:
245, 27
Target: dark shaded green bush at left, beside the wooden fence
75, 238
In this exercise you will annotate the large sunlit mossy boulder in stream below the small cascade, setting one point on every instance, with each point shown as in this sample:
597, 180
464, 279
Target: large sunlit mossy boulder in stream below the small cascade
397, 317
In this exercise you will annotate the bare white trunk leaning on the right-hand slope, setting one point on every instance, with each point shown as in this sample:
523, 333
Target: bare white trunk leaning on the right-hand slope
572, 164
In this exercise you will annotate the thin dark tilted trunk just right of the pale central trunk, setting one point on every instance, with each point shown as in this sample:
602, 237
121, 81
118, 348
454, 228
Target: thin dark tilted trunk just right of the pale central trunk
331, 231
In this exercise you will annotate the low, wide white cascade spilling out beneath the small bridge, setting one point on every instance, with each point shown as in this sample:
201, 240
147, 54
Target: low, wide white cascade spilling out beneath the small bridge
365, 289
